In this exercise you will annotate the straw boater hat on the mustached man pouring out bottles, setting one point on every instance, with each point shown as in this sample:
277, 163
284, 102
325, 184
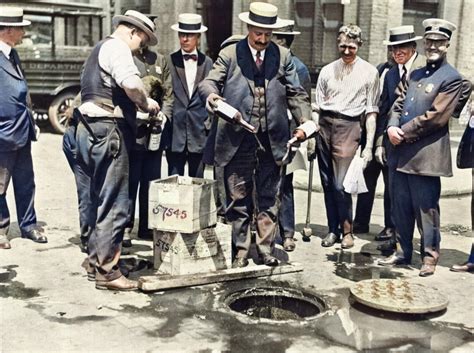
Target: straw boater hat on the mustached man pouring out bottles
262, 15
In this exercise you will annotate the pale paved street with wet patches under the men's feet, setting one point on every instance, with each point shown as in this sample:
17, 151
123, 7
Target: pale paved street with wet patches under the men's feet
47, 304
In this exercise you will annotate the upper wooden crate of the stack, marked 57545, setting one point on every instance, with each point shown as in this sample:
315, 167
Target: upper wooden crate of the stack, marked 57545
182, 204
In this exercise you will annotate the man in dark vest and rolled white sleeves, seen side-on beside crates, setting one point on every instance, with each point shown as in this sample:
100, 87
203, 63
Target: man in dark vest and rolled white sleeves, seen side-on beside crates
111, 91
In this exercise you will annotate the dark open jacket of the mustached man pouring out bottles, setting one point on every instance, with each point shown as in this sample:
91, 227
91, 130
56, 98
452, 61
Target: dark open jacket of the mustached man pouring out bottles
232, 77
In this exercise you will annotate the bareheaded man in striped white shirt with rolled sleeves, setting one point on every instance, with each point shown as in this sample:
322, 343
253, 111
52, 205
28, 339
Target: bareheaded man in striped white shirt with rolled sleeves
347, 95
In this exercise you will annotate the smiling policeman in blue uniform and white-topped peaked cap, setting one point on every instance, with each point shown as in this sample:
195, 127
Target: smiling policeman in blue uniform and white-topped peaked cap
418, 128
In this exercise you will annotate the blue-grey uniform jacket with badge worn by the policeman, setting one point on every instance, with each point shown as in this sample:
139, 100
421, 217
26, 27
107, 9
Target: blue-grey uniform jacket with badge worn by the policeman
423, 113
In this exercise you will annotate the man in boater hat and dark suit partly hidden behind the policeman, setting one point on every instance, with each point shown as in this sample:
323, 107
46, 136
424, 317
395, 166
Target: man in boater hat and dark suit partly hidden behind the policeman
402, 47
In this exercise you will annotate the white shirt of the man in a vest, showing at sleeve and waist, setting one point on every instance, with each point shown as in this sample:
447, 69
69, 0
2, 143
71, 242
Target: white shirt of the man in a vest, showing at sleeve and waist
115, 58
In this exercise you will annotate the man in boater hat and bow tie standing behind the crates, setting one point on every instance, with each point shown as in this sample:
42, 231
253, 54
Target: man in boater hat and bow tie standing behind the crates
188, 67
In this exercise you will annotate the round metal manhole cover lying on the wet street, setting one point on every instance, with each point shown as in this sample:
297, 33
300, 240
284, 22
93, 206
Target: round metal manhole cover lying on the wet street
399, 296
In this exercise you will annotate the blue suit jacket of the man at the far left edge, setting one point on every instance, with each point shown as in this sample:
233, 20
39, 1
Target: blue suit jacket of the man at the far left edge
16, 122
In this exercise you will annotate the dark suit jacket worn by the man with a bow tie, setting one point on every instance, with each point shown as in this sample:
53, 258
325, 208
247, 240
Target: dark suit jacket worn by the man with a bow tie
189, 114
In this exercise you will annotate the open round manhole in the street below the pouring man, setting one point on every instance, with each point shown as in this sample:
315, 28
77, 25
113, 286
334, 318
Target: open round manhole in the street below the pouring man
278, 304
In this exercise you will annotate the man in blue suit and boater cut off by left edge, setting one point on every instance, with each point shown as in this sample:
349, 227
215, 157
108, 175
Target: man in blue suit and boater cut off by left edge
17, 130
